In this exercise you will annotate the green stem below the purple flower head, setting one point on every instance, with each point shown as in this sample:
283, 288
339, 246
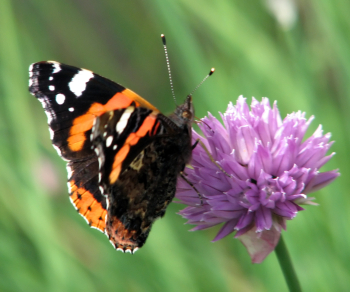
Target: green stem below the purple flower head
287, 266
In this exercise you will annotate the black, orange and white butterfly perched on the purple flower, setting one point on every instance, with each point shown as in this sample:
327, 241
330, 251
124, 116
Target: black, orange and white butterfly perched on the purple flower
123, 155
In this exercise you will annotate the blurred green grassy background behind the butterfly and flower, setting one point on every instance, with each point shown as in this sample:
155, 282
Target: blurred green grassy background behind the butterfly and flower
296, 52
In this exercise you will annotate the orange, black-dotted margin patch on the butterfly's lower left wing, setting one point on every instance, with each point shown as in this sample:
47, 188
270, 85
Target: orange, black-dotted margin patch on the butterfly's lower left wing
88, 207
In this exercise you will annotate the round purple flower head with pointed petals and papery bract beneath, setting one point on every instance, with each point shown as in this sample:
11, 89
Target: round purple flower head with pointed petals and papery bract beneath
271, 170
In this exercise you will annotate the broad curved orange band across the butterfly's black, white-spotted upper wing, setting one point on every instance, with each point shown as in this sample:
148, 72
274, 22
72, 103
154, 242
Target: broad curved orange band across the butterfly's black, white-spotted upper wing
85, 122
